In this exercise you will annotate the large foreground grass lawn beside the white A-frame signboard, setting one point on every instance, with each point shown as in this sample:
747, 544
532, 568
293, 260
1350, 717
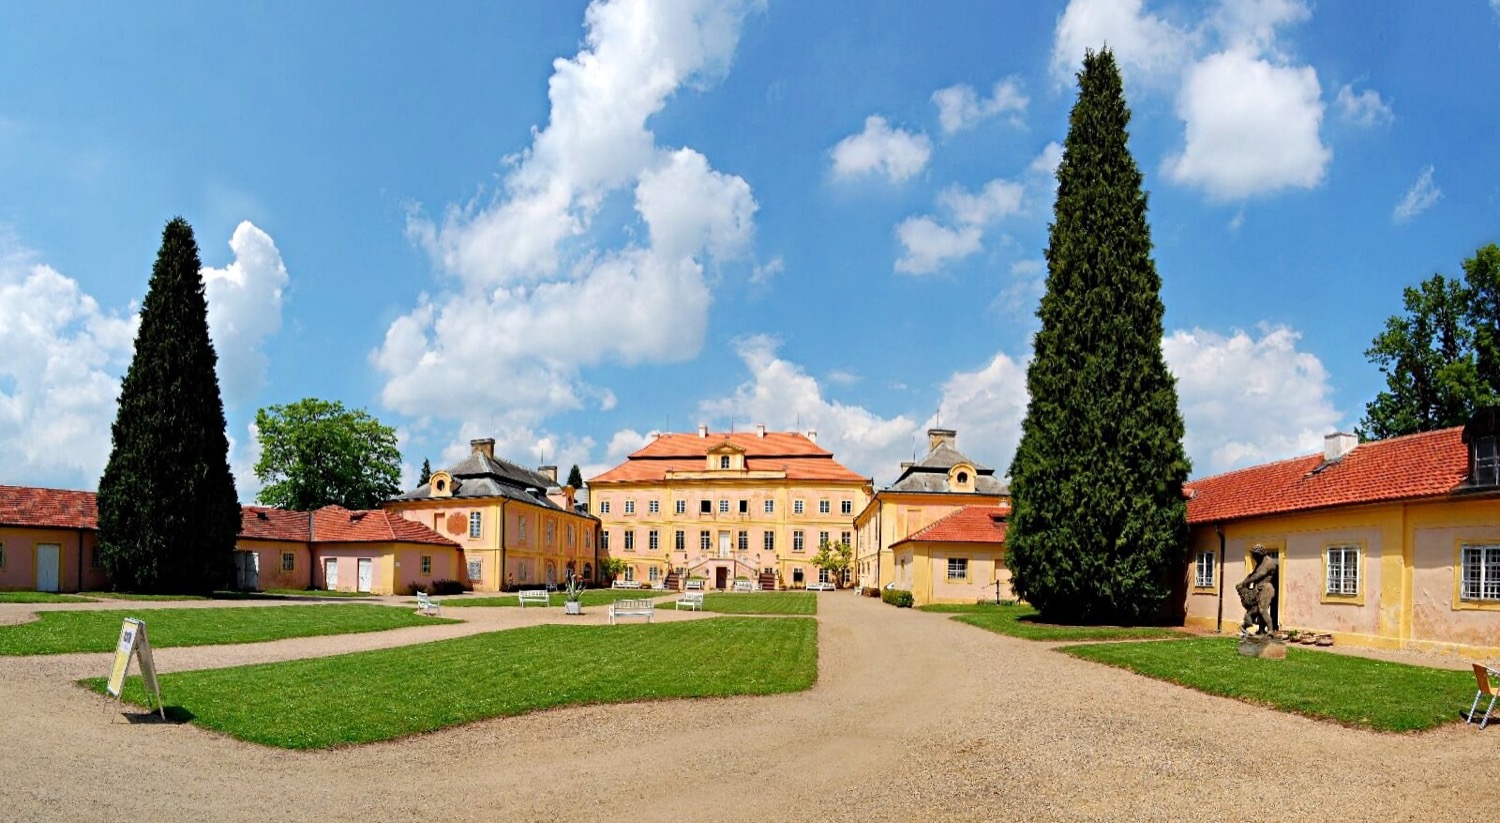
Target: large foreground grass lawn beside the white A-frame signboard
391, 693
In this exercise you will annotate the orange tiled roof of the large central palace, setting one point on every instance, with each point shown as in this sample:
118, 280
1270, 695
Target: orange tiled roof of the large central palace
799, 456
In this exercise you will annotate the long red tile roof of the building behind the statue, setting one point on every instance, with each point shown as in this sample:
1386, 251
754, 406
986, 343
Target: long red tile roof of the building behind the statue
1423, 465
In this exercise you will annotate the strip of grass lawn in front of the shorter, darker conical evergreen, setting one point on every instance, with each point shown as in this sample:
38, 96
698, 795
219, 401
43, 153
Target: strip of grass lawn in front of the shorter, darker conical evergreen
97, 632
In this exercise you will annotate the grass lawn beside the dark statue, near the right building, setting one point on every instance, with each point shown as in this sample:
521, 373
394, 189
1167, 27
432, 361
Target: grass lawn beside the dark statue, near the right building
1345, 689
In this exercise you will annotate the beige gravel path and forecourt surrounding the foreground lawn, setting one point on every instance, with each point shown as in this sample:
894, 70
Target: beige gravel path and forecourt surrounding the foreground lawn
914, 719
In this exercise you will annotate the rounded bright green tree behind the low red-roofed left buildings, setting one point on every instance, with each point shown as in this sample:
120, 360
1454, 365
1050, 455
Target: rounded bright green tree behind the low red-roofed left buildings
316, 453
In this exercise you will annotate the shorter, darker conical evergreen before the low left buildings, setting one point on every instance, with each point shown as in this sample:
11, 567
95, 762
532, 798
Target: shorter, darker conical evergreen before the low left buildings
169, 513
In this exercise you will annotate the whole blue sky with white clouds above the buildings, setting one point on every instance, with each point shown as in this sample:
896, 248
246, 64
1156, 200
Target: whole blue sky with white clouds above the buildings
568, 226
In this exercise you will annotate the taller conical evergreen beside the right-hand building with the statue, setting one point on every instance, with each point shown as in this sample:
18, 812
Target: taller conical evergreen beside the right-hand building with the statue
1099, 527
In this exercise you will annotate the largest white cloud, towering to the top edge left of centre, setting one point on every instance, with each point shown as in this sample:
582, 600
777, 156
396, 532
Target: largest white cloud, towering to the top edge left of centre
538, 293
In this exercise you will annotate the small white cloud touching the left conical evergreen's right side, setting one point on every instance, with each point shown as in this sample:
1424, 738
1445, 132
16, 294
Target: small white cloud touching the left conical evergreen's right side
245, 302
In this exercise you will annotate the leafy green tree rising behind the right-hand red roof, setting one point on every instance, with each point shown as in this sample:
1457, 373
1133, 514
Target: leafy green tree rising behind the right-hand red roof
1442, 358
